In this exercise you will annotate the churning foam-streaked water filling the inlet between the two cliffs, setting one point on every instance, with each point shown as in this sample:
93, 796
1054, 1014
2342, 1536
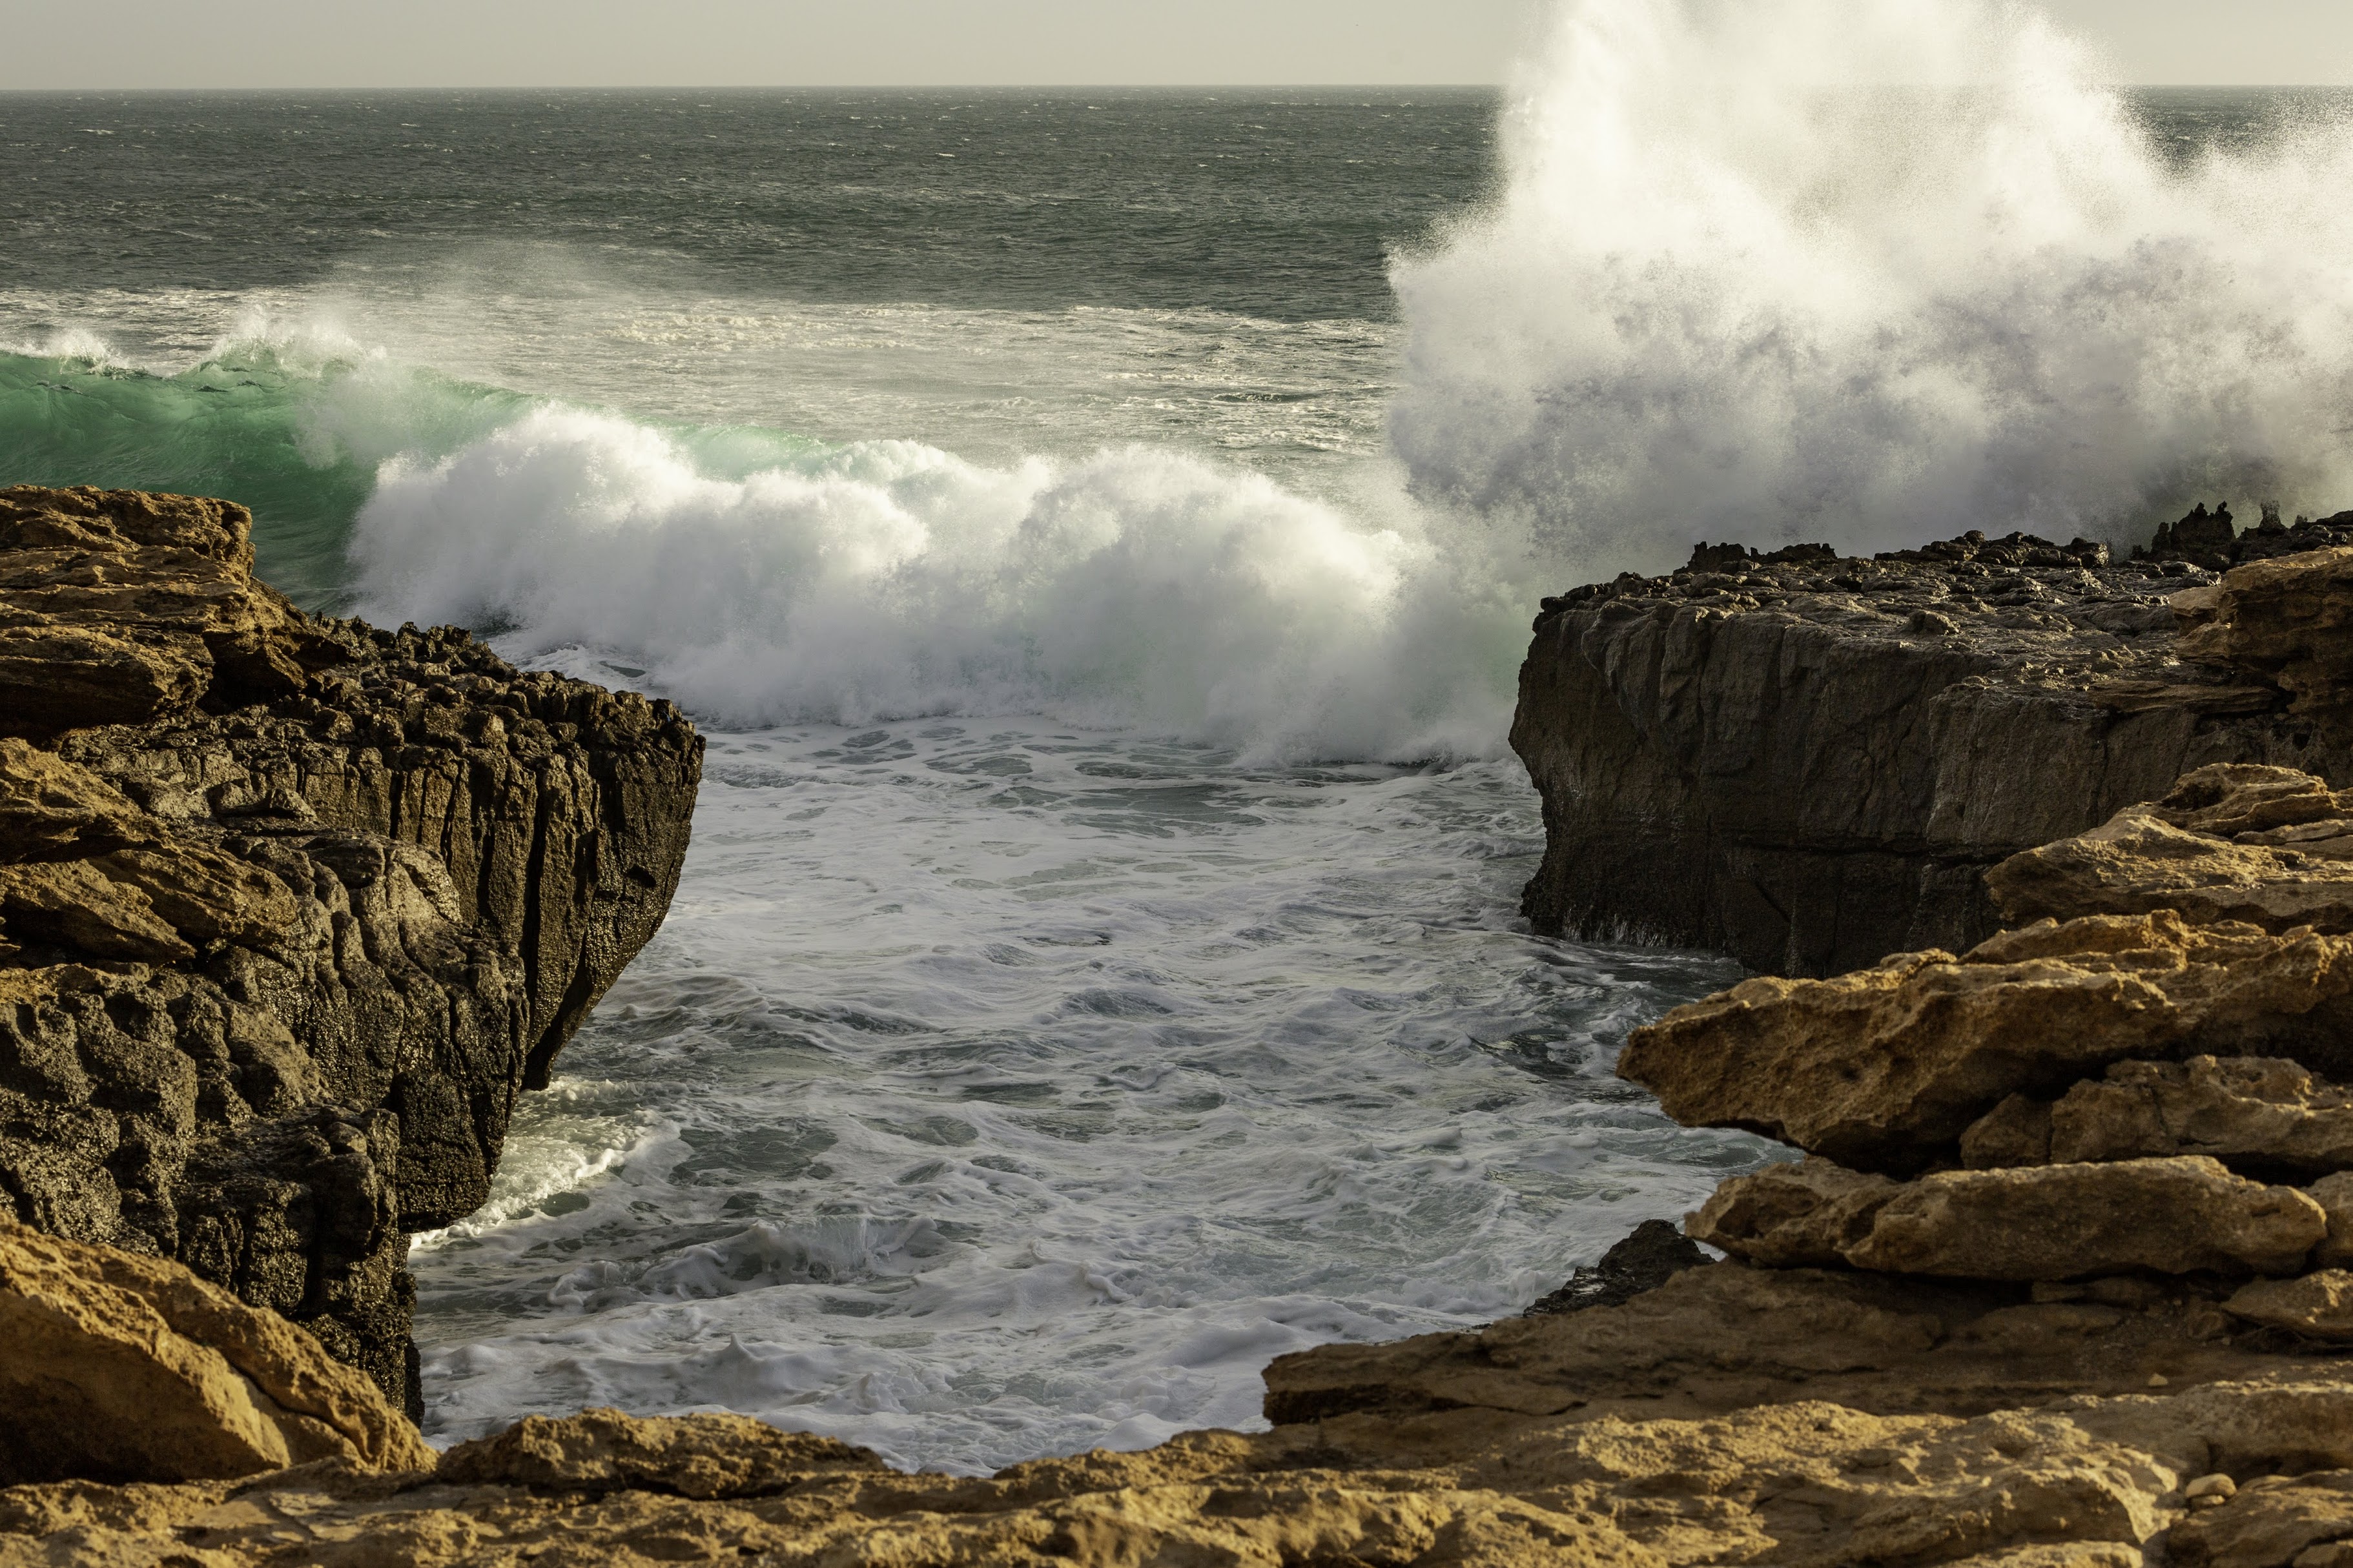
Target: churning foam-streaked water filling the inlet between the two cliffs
1006, 1090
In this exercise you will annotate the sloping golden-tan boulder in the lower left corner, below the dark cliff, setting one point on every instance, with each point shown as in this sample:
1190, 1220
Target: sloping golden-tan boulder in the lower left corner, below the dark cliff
133, 1369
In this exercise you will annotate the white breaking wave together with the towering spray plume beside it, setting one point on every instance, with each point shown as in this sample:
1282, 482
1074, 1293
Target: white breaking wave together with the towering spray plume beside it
1735, 286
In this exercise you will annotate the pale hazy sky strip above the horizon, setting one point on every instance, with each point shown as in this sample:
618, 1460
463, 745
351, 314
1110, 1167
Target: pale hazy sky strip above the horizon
707, 43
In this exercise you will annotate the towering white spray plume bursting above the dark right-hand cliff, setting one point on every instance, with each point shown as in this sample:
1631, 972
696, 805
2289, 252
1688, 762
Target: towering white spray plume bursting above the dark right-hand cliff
1869, 272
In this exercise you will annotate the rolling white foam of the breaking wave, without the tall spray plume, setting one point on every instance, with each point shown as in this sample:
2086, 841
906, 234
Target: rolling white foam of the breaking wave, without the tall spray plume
891, 579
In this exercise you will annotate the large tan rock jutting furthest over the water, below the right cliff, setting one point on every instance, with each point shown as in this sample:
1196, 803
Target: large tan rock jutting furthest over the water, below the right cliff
1886, 1068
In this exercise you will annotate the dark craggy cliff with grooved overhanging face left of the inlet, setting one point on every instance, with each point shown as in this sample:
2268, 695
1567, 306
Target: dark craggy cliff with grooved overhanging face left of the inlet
291, 909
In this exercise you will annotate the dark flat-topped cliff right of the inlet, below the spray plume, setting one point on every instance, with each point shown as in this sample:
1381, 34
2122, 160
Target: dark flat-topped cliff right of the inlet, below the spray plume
1811, 760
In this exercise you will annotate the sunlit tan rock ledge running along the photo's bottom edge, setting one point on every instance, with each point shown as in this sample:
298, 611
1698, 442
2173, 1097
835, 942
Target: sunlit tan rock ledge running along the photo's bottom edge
1804, 1485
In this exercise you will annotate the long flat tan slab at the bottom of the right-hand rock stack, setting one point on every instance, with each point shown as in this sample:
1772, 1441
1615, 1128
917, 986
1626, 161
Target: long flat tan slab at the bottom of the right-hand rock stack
2171, 1217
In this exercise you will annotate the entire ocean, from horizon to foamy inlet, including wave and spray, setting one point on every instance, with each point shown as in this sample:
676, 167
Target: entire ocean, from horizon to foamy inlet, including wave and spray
1098, 535
